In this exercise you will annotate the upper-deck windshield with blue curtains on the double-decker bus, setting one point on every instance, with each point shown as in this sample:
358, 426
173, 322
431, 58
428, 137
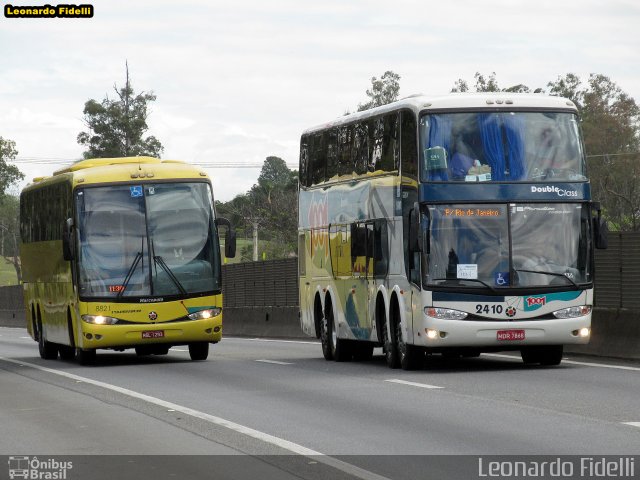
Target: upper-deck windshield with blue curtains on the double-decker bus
501, 146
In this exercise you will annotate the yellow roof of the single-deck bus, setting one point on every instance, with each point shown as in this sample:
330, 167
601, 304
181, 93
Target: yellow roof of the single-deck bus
124, 169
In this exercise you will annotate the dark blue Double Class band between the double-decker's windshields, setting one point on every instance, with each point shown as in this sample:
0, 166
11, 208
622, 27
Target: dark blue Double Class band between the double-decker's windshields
509, 192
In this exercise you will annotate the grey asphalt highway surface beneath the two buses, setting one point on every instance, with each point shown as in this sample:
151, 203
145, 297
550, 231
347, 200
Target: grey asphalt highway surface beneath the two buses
289, 413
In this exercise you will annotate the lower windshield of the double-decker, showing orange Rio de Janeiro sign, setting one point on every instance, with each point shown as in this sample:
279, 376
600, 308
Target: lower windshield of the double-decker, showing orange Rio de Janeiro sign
501, 246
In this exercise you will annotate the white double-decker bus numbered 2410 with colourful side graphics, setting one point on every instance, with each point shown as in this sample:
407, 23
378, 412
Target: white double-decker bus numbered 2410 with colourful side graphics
456, 224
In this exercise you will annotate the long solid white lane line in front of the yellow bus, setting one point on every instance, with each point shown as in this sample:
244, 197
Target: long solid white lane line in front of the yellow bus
221, 422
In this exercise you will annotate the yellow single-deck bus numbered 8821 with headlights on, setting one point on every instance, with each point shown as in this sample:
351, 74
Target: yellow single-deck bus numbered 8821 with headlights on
122, 253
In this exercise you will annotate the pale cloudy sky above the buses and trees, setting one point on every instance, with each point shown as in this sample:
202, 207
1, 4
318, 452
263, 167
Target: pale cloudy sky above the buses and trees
239, 81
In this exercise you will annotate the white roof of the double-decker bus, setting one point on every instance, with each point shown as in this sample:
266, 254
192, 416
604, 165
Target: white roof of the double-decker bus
459, 101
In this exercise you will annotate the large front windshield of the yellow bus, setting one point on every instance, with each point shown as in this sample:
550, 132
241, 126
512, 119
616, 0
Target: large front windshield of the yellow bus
147, 240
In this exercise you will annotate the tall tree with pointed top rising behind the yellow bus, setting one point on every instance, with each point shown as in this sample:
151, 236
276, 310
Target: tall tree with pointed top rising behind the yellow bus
116, 127
